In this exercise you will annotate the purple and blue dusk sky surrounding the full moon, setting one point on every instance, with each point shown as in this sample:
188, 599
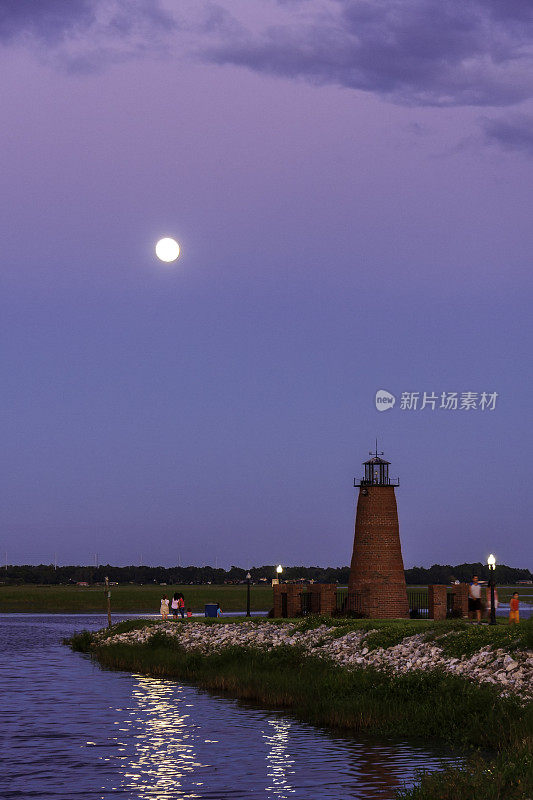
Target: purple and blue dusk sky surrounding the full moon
350, 182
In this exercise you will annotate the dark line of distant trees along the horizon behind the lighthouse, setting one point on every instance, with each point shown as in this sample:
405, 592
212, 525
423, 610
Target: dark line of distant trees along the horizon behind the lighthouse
48, 574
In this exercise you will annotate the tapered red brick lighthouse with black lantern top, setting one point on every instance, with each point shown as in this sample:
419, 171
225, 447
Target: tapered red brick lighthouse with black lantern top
376, 571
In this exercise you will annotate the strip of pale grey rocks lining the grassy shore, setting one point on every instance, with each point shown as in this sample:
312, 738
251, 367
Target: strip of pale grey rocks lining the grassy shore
512, 673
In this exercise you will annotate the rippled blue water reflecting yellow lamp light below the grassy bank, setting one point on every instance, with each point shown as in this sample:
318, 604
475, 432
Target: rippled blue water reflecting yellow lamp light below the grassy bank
70, 729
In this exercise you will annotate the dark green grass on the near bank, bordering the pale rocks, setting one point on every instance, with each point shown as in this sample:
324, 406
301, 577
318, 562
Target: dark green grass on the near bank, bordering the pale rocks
495, 732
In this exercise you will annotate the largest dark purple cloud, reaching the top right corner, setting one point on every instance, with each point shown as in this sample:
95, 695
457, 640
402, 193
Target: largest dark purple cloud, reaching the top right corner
425, 52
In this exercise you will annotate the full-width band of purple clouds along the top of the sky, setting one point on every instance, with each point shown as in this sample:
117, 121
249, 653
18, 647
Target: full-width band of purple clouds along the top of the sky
418, 52
